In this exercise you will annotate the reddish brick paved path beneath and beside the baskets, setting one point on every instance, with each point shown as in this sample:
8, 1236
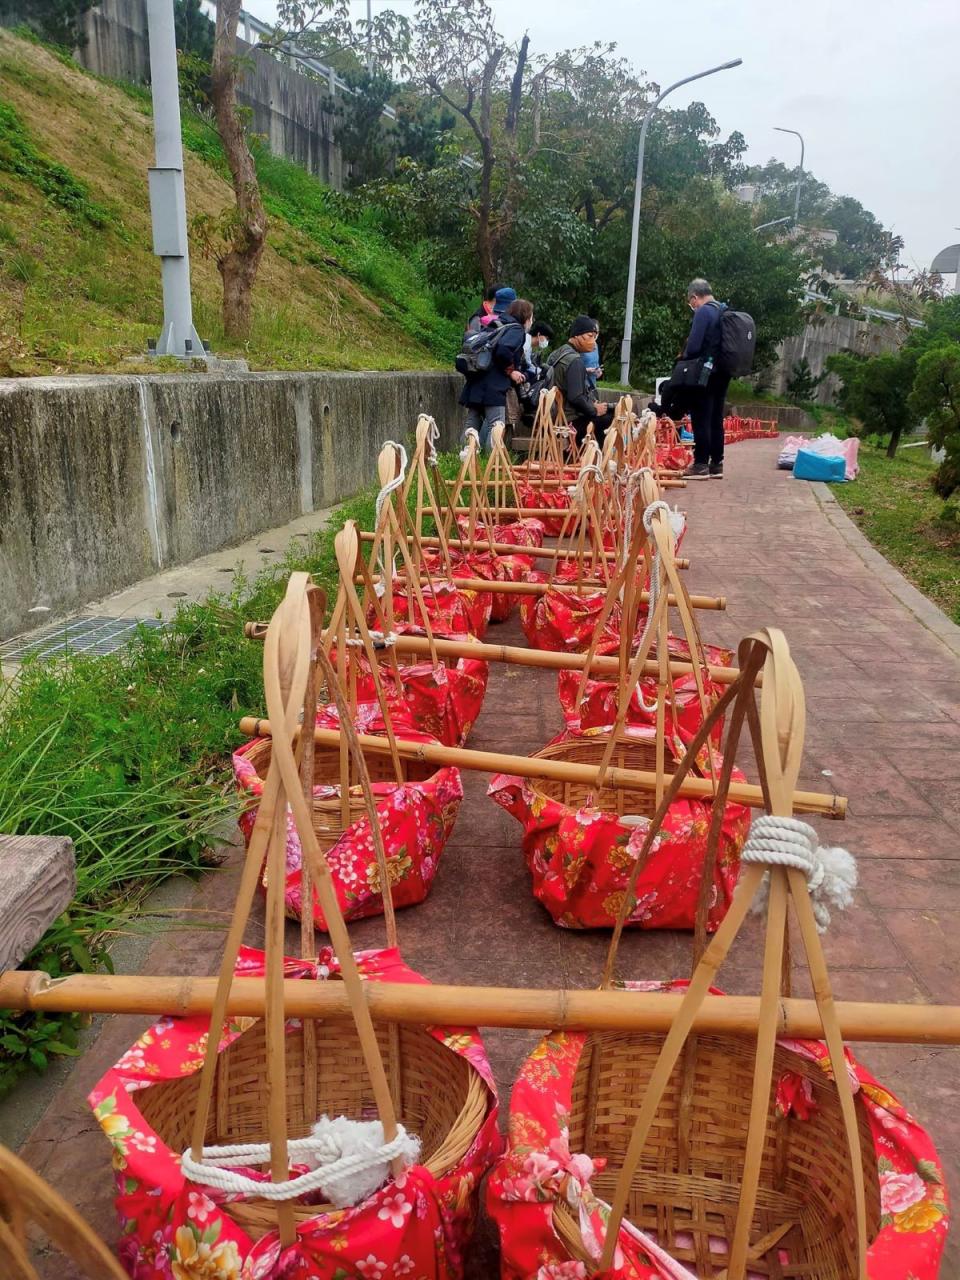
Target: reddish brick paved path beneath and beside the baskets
884, 716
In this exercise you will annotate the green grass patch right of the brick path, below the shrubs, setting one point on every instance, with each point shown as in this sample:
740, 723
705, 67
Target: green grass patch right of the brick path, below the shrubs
897, 509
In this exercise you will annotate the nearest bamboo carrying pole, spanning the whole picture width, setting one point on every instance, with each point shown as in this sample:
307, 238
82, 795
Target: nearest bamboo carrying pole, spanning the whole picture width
522, 1008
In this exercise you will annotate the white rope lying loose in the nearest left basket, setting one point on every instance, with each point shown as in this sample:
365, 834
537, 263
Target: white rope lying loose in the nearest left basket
337, 1169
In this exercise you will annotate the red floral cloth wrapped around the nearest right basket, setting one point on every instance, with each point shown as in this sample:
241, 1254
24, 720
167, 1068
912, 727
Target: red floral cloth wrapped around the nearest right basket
538, 1171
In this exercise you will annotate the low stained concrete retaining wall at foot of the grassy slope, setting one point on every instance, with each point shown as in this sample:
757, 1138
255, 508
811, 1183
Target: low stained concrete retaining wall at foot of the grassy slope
106, 481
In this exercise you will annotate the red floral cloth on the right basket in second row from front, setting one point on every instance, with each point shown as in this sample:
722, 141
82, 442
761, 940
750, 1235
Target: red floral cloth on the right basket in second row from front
580, 860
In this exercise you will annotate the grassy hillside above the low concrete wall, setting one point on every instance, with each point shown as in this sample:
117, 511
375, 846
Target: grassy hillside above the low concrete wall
80, 287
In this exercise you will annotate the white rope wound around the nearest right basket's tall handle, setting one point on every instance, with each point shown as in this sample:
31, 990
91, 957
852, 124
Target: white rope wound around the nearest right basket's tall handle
831, 874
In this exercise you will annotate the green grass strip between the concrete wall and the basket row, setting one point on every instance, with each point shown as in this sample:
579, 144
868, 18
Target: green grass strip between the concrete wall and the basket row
129, 756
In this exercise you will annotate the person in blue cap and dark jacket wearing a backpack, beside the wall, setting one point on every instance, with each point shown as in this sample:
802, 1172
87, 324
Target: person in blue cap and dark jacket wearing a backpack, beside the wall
492, 363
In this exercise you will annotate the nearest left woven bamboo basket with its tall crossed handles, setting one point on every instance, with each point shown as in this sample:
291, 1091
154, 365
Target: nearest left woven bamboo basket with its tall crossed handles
275, 1080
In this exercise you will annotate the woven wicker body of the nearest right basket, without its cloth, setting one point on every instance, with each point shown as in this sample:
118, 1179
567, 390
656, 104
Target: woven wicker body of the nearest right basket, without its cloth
806, 1173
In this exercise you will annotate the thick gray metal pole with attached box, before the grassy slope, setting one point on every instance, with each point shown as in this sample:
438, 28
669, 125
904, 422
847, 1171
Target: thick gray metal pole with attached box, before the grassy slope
168, 203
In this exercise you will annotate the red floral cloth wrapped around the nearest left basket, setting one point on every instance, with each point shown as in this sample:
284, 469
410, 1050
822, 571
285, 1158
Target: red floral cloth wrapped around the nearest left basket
171, 1229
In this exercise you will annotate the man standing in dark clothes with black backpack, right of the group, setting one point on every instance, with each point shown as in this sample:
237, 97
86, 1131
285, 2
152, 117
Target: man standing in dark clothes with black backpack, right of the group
720, 348
